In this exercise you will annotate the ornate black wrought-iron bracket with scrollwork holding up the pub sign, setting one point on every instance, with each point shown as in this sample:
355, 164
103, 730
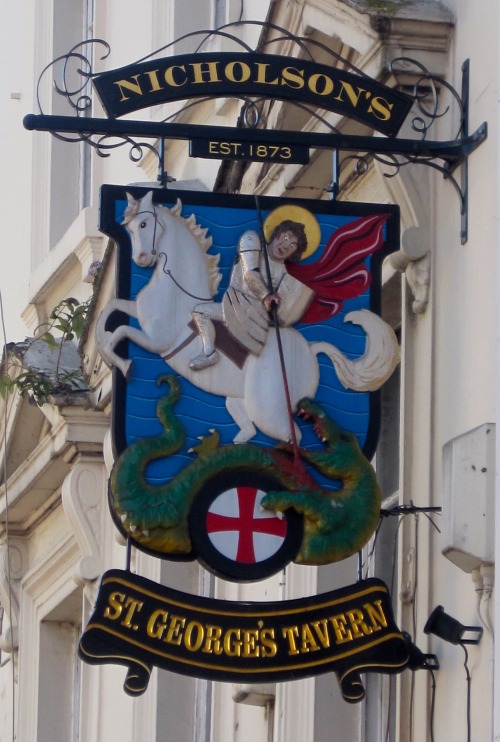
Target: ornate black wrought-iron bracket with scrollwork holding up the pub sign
433, 98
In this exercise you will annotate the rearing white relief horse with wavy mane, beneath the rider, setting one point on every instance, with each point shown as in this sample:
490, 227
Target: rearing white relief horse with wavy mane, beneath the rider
186, 275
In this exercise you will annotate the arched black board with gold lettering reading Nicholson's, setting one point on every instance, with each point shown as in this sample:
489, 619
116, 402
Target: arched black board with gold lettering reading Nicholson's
226, 74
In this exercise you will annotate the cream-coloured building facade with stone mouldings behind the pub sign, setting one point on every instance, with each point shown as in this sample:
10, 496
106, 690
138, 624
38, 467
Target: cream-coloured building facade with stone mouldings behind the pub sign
436, 458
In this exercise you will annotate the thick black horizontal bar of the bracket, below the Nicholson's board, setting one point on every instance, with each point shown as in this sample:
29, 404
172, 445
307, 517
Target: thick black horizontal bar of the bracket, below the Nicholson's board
450, 151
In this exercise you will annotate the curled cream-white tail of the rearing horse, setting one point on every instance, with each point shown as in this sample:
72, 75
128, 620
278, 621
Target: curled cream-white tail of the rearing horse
375, 366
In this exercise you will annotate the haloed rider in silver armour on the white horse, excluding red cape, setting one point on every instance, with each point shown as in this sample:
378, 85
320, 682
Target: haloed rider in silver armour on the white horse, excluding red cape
249, 299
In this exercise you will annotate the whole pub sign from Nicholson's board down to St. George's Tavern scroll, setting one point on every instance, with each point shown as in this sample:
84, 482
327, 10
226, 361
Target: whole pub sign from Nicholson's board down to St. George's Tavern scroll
248, 350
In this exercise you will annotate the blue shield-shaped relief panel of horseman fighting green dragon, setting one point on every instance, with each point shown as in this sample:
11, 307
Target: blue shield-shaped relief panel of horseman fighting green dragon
249, 348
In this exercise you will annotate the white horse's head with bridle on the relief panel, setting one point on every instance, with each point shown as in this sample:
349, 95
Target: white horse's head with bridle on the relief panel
141, 220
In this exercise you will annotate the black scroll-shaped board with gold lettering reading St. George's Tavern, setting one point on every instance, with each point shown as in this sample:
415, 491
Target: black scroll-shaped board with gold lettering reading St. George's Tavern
140, 624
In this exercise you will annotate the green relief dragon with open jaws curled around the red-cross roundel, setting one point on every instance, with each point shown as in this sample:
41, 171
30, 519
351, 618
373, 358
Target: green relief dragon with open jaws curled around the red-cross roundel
337, 523
